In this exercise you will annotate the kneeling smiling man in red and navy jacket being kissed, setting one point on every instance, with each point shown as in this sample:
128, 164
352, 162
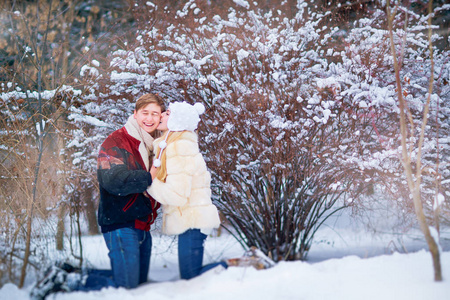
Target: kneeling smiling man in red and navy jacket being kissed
125, 213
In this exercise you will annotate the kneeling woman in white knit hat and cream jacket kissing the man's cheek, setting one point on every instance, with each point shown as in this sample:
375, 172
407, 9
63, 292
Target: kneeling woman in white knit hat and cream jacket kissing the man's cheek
182, 186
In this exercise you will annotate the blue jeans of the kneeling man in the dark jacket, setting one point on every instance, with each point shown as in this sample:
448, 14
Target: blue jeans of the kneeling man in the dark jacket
129, 253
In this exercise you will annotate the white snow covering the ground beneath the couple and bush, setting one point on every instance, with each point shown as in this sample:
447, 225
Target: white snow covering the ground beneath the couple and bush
343, 264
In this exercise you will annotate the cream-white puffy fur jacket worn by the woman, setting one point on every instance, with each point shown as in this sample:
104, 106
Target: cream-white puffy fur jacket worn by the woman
186, 194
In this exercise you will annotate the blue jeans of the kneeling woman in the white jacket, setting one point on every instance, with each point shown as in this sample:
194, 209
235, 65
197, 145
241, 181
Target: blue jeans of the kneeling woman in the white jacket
190, 254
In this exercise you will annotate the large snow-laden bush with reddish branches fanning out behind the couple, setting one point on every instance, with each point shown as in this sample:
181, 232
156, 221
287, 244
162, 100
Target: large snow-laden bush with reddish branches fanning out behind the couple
275, 133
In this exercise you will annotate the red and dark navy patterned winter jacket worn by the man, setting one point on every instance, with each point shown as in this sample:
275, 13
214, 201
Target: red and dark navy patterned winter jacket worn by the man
123, 177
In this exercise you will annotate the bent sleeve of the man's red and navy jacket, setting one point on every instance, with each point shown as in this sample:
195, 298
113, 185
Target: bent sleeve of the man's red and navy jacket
116, 177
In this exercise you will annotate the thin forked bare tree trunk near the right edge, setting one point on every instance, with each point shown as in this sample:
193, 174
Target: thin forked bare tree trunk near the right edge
412, 147
